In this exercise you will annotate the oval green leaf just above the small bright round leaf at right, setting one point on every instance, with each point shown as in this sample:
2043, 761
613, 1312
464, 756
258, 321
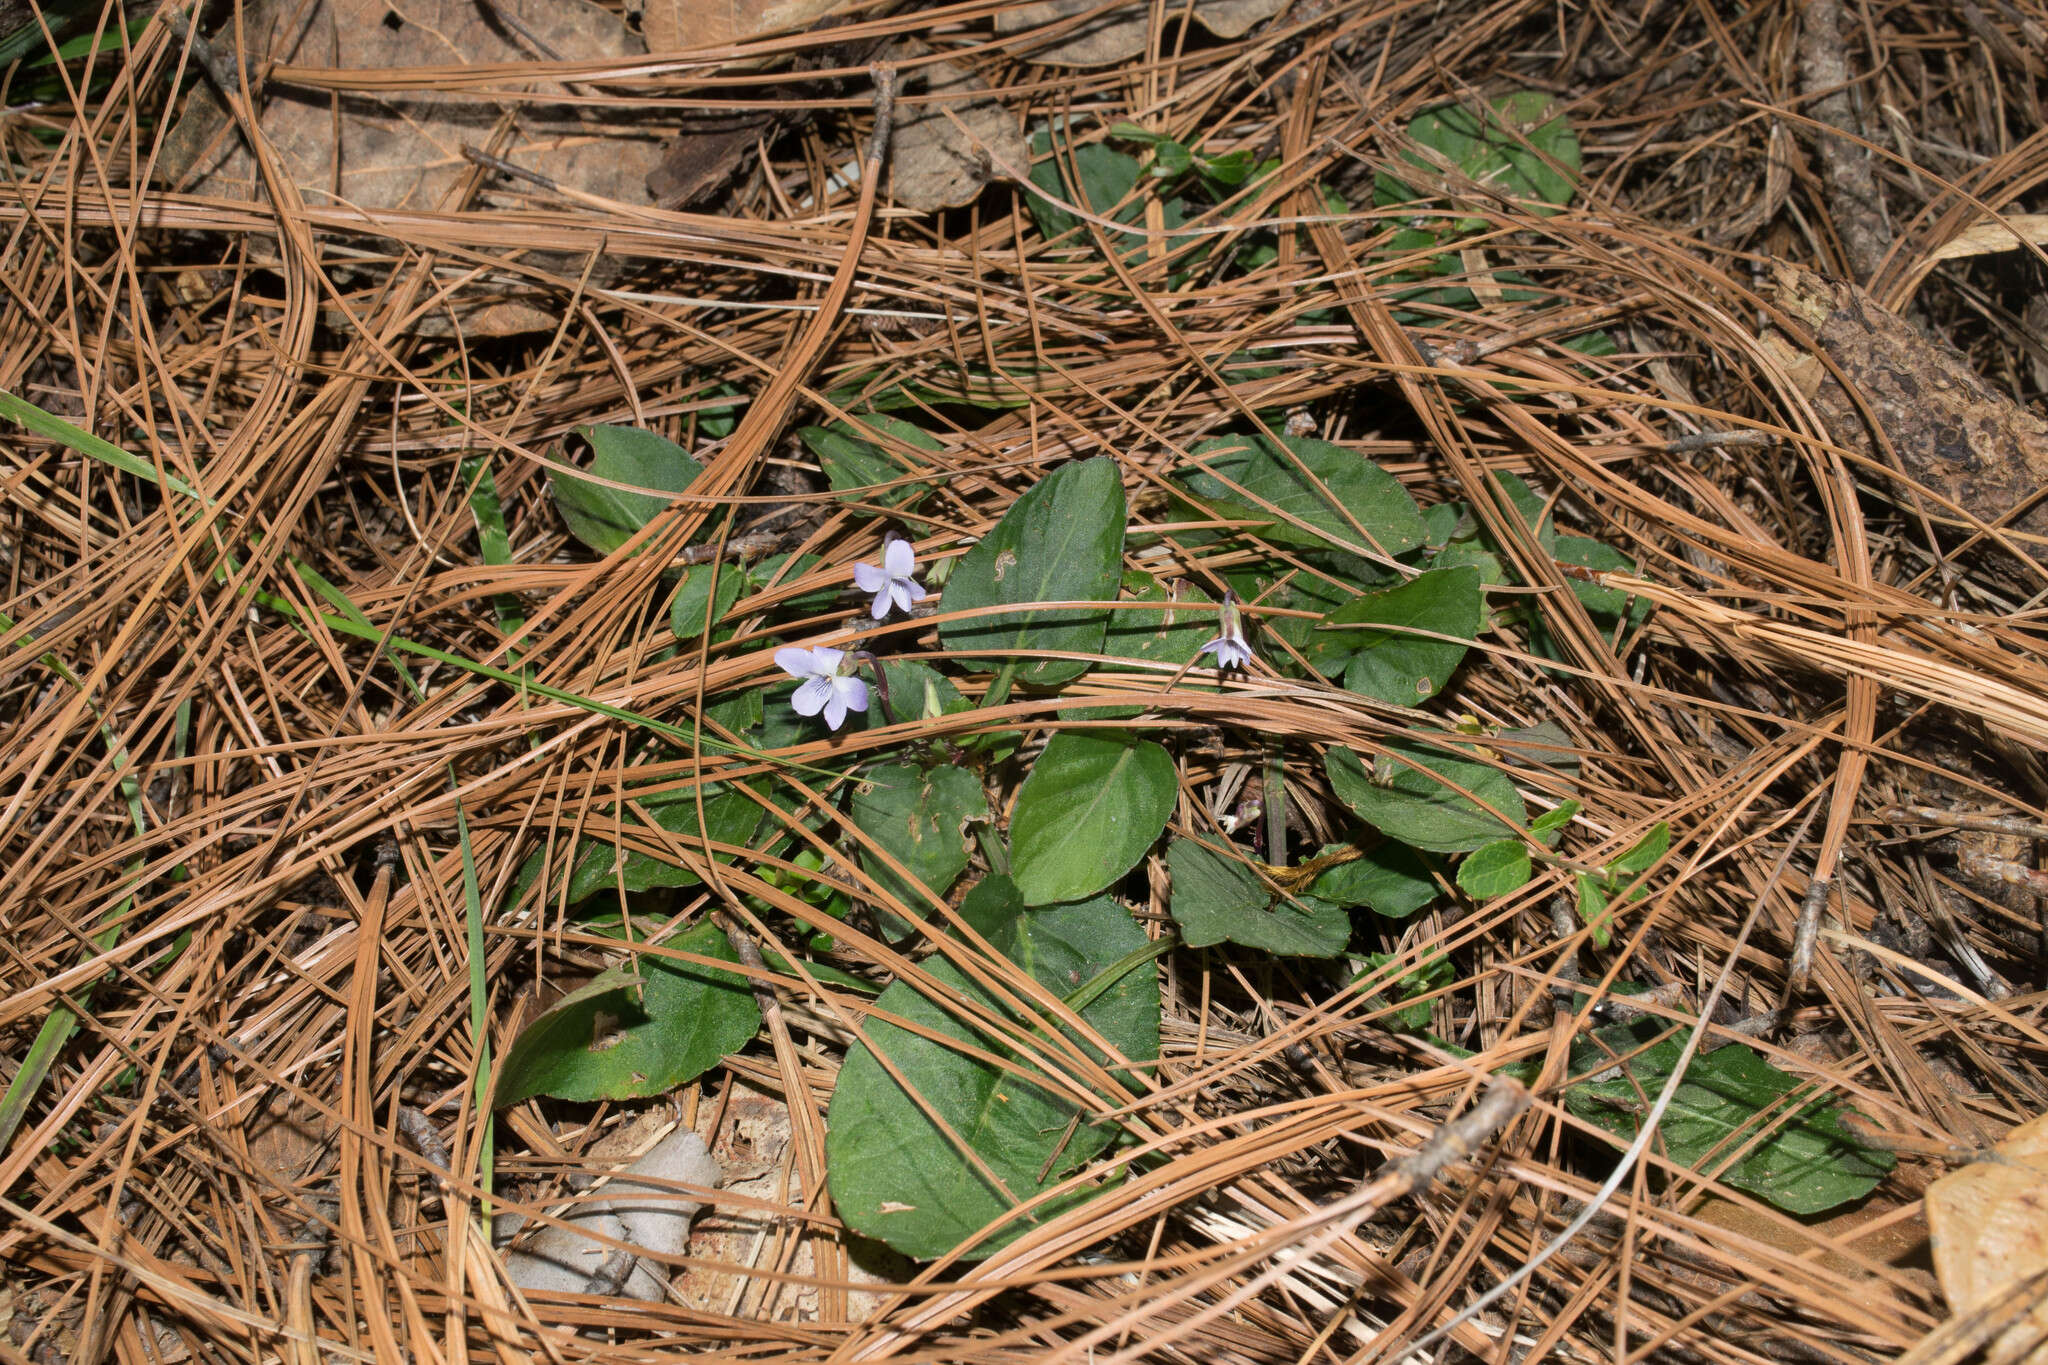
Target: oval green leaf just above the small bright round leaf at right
1410, 795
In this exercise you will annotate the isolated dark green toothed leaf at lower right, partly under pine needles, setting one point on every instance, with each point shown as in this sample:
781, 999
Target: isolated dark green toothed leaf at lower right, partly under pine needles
1805, 1165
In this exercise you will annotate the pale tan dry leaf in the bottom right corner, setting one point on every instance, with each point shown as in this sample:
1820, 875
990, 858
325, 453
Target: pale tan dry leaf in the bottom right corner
1990, 1225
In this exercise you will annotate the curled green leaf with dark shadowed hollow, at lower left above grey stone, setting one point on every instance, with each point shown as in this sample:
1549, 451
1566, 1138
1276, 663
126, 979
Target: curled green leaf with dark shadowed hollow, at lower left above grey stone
634, 1032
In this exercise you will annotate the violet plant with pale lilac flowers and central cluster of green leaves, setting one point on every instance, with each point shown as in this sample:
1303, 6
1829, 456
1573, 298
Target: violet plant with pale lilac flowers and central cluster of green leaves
1375, 601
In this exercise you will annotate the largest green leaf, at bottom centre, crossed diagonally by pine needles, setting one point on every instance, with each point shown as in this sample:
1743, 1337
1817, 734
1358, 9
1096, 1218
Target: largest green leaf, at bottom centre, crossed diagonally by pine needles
898, 1178
